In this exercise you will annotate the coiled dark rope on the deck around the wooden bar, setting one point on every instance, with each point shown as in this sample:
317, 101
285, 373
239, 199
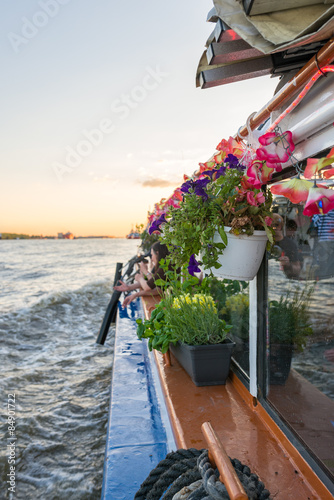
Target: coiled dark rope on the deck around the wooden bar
179, 474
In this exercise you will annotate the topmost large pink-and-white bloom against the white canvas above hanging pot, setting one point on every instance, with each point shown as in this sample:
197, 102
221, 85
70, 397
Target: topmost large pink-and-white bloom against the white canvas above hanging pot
275, 149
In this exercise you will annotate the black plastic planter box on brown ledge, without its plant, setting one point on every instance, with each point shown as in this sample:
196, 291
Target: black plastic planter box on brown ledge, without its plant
206, 364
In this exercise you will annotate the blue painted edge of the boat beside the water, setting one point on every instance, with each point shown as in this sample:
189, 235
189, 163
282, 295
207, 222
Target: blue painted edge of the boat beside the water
139, 435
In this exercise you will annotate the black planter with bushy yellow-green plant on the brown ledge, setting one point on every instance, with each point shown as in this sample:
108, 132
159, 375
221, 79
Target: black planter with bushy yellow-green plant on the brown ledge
186, 320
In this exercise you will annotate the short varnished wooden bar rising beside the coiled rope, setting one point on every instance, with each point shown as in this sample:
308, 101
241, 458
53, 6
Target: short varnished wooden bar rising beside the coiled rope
219, 458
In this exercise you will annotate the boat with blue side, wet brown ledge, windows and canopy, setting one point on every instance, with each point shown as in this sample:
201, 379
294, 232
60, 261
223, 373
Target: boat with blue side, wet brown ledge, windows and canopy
282, 429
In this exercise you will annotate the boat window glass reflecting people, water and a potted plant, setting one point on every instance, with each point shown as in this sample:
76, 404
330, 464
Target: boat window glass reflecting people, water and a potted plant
301, 328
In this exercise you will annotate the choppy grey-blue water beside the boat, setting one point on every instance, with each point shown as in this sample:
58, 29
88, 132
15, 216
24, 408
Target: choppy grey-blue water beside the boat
53, 297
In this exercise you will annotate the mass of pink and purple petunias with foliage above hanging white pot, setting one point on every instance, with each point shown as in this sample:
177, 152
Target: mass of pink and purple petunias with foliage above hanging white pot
226, 191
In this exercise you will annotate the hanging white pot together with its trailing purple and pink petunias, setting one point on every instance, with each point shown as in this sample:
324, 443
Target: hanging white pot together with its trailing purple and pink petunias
222, 208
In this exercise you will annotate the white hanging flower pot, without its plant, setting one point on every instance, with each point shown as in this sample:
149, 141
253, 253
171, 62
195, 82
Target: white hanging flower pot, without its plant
242, 257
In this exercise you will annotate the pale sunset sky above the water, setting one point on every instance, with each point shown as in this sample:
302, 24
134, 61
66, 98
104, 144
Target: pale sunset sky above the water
100, 113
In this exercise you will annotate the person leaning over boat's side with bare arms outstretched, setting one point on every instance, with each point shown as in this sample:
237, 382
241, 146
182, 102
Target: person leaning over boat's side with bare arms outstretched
145, 279
